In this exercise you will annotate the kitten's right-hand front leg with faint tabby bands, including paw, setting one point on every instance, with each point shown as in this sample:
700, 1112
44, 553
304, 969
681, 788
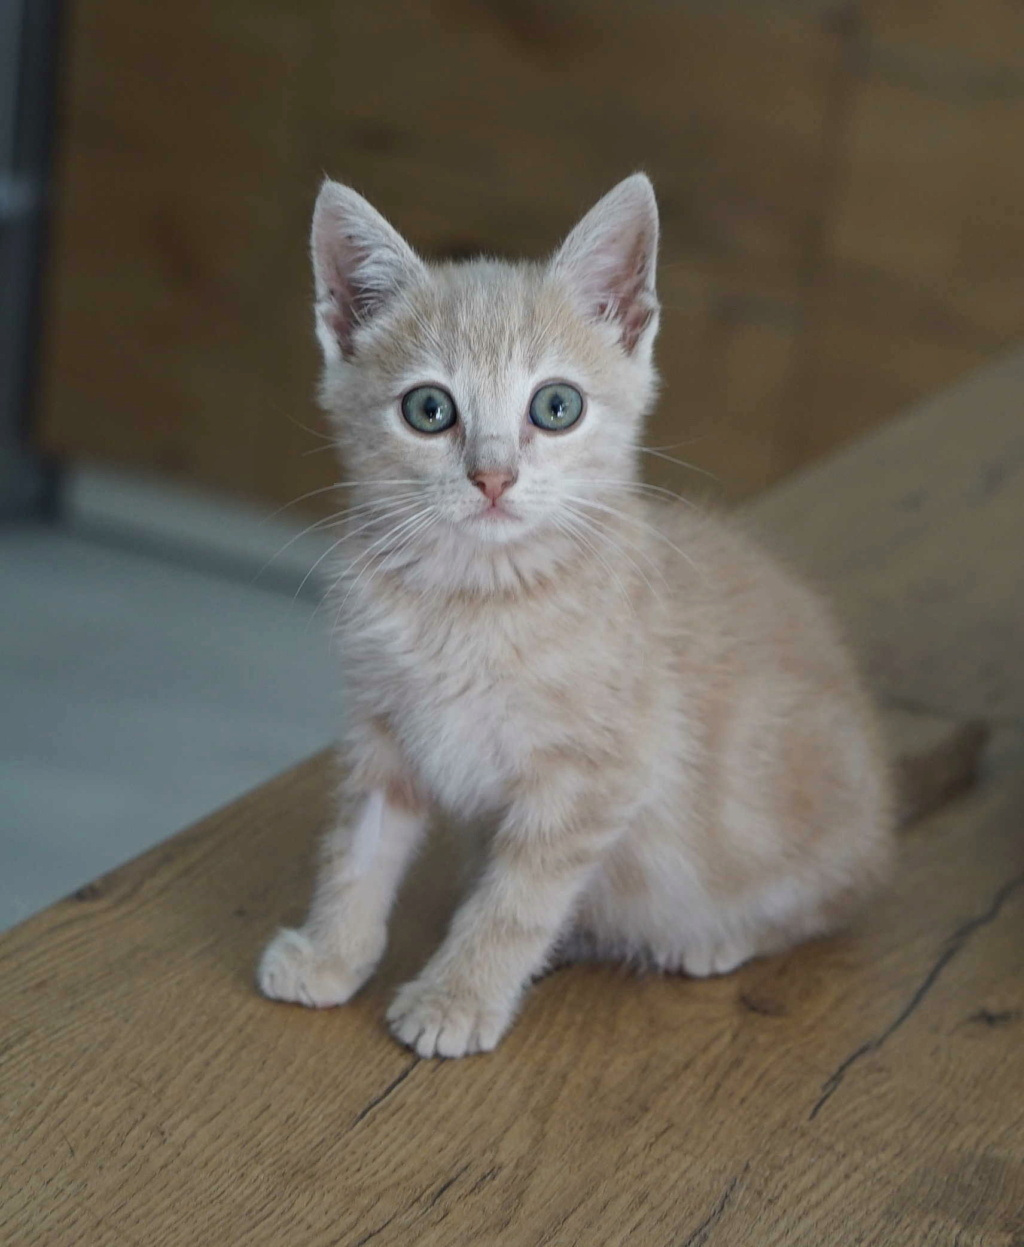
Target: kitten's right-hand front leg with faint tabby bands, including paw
542, 859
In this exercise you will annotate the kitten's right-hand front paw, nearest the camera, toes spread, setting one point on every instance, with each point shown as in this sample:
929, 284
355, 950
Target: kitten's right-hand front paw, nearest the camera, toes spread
437, 1022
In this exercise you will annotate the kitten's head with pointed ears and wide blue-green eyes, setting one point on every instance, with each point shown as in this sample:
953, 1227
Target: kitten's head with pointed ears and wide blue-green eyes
488, 400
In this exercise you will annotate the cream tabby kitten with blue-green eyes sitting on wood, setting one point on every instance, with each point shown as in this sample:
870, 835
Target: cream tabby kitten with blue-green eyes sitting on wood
677, 751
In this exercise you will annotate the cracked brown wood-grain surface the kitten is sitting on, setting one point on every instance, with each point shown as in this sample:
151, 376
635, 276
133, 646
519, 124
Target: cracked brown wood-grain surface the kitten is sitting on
865, 1091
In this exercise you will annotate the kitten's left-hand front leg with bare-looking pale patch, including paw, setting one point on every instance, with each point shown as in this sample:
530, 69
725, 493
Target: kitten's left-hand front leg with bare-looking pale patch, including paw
337, 950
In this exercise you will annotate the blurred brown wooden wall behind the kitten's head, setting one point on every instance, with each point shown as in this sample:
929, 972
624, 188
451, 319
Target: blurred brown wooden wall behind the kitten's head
836, 228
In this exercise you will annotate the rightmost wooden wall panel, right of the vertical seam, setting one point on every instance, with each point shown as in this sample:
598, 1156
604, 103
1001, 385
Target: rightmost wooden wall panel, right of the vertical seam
925, 272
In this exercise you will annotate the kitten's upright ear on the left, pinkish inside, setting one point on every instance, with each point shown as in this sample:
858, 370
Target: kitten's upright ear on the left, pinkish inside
360, 262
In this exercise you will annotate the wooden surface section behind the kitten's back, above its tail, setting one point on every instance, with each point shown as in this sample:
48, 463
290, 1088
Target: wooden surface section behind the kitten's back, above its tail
917, 533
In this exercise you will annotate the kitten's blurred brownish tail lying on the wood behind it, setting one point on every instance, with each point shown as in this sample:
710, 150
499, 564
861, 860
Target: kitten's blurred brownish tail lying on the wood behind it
936, 760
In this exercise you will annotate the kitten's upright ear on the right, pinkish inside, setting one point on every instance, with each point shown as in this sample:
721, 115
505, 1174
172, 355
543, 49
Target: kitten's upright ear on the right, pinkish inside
611, 260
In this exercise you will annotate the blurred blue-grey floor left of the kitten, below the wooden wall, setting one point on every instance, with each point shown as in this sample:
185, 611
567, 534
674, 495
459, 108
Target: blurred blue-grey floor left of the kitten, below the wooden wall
149, 674
